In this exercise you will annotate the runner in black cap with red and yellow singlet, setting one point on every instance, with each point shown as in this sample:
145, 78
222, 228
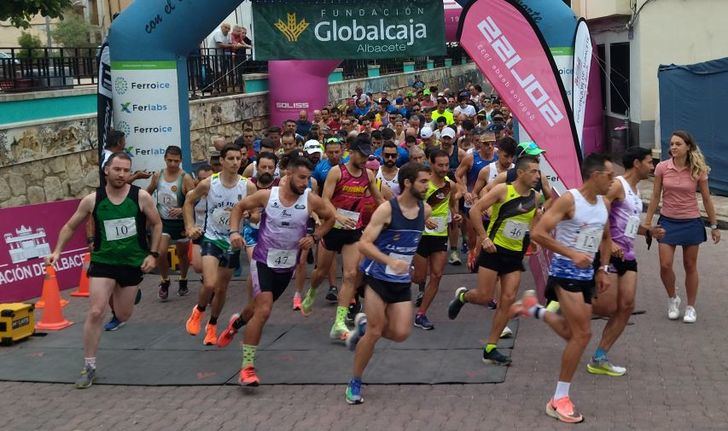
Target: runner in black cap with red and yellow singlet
345, 187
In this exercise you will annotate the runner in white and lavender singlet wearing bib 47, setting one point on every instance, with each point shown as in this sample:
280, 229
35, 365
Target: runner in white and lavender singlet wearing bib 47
281, 237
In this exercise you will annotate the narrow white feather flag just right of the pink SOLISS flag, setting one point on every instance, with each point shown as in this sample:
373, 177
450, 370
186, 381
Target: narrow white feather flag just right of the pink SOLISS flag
582, 65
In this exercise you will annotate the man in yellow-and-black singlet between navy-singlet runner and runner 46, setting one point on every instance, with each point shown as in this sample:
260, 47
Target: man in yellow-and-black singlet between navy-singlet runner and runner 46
442, 195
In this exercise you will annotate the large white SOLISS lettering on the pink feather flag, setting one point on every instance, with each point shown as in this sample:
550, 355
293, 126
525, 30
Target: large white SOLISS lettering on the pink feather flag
533, 88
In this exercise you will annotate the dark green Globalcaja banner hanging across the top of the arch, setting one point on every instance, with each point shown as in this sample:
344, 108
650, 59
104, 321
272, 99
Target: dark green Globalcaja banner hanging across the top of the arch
348, 29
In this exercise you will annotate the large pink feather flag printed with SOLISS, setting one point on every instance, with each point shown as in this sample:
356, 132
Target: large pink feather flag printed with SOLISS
509, 49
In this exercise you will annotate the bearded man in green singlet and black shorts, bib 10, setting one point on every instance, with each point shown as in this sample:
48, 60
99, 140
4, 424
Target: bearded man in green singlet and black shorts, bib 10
121, 255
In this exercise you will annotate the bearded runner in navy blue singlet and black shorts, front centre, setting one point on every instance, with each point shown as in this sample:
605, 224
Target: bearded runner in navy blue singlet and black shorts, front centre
388, 244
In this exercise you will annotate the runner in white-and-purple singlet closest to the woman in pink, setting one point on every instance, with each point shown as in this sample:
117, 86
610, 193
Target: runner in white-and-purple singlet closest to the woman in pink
624, 226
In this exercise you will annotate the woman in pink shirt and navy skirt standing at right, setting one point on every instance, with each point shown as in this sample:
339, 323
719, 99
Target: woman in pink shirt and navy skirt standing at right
676, 181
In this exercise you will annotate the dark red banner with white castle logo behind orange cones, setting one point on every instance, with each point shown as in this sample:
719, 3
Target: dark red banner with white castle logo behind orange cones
29, 234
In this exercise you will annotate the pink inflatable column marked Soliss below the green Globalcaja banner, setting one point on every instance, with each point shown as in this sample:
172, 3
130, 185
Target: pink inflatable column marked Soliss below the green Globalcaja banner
297, 84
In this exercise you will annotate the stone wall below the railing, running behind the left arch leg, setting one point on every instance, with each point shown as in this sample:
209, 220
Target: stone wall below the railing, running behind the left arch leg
44, 161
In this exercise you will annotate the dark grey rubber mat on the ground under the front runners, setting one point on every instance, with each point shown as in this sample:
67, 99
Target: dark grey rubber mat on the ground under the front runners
164, 354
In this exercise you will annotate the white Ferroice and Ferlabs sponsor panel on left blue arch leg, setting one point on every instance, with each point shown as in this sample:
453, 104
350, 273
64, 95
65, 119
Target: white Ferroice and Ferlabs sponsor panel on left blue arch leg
146, 109
